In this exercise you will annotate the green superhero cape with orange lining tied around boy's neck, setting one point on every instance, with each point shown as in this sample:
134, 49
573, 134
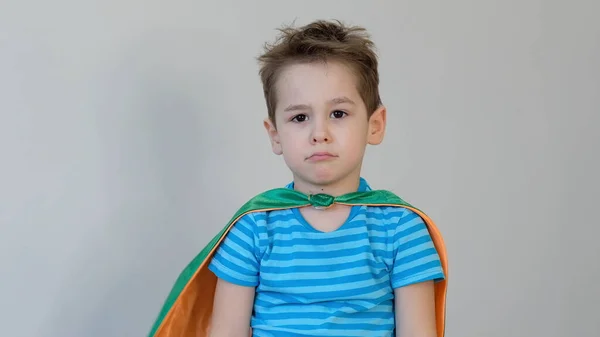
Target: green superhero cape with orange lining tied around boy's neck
187, 310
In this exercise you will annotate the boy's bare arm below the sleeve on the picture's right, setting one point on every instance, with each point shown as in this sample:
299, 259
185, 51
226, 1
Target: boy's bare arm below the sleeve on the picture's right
415, 310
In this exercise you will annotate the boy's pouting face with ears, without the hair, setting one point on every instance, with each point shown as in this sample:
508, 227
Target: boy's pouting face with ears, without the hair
321, 125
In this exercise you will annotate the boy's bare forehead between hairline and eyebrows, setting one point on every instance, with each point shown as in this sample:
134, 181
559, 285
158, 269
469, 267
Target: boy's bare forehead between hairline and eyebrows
314, 83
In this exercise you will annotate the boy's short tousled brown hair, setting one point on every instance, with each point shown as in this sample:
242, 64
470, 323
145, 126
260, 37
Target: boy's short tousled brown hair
322, 41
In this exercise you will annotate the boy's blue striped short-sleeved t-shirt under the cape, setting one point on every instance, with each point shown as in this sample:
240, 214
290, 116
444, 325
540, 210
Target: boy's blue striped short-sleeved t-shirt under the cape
340, 283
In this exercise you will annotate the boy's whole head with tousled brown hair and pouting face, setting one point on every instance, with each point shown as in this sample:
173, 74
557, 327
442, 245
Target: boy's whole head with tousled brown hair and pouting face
321, 88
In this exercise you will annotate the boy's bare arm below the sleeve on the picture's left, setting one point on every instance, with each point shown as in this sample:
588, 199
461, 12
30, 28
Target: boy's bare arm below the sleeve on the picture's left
232, 310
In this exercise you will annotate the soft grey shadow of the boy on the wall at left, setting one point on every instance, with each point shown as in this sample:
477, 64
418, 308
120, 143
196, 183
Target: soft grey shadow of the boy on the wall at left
152, 107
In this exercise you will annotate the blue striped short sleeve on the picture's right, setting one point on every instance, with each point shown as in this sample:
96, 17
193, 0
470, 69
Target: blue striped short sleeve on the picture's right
415, 257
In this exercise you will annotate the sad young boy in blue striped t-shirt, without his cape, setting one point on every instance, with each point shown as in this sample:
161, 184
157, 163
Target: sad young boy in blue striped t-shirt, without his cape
339, 271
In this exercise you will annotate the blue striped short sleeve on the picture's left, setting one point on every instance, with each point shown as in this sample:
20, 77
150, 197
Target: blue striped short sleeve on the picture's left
235, 260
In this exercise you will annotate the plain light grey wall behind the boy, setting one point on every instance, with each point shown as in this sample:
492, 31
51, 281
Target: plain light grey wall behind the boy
124, 123
